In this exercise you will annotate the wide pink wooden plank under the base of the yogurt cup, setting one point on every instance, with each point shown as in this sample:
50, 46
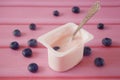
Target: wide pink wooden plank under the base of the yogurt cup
13, 64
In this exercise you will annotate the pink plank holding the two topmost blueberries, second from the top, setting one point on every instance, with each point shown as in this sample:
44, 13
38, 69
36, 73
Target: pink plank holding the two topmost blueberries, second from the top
44, 15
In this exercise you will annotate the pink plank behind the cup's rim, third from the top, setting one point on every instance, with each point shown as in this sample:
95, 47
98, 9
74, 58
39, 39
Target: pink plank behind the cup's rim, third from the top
111, 31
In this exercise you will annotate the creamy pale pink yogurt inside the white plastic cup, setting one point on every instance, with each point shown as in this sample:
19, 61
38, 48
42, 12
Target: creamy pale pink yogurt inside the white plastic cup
66, 42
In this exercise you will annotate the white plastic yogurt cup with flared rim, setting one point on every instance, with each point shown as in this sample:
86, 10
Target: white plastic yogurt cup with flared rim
68, 58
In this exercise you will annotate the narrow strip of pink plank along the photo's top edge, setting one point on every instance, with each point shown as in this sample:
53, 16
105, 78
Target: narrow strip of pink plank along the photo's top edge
56, 3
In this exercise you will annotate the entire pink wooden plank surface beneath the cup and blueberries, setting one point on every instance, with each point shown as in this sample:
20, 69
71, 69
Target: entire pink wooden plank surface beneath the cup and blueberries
18, 14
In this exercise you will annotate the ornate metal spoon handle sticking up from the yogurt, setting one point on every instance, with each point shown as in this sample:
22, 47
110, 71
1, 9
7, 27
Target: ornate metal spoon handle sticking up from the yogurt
90, 13
